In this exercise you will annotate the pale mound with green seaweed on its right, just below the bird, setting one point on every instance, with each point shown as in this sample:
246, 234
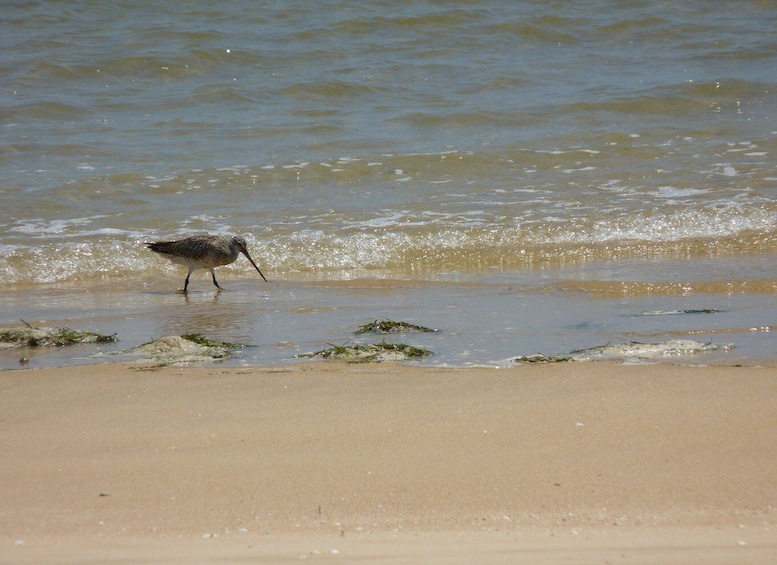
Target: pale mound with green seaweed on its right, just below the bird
182, 350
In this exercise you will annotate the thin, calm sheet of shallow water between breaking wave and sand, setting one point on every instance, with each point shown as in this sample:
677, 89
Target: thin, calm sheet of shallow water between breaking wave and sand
480, 321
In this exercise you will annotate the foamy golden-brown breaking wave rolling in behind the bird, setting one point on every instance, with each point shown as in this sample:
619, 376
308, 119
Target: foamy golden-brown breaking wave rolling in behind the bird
404, 245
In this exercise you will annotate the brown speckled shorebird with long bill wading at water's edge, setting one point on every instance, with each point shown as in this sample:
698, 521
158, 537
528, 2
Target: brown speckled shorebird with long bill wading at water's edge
203, 252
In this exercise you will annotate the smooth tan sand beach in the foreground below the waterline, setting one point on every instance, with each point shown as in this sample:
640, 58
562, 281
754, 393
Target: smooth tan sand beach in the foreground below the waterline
568, 463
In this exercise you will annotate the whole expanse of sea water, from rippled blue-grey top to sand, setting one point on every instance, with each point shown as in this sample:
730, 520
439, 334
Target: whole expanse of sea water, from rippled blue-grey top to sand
526, 176
